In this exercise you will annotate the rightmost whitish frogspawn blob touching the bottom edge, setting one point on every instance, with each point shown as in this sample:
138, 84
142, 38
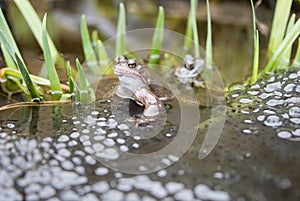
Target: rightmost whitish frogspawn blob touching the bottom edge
205, 193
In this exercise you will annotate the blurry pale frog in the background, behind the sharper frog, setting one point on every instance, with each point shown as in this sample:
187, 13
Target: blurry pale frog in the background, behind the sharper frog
188, 73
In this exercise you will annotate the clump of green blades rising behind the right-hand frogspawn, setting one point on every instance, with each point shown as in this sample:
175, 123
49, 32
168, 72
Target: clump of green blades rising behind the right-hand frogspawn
283, 35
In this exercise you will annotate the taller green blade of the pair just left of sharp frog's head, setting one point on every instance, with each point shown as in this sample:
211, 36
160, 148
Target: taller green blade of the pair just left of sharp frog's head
88, 49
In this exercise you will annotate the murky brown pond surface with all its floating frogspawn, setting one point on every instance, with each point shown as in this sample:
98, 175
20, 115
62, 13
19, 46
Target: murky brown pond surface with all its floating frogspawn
54, 152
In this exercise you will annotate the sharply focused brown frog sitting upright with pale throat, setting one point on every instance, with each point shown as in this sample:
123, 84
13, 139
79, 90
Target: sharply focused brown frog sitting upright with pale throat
134, 84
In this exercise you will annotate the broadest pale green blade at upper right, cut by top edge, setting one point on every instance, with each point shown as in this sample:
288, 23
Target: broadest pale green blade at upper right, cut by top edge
280, 19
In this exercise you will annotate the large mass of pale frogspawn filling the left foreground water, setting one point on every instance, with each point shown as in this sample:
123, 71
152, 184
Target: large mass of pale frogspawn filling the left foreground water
63, 167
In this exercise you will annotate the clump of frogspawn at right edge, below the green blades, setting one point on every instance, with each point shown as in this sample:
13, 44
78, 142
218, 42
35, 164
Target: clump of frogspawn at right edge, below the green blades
274, 102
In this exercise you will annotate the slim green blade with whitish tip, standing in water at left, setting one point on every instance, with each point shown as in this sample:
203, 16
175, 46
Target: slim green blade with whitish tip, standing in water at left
53, 77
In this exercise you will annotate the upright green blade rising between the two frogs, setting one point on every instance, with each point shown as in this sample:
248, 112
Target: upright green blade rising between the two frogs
157, 38
